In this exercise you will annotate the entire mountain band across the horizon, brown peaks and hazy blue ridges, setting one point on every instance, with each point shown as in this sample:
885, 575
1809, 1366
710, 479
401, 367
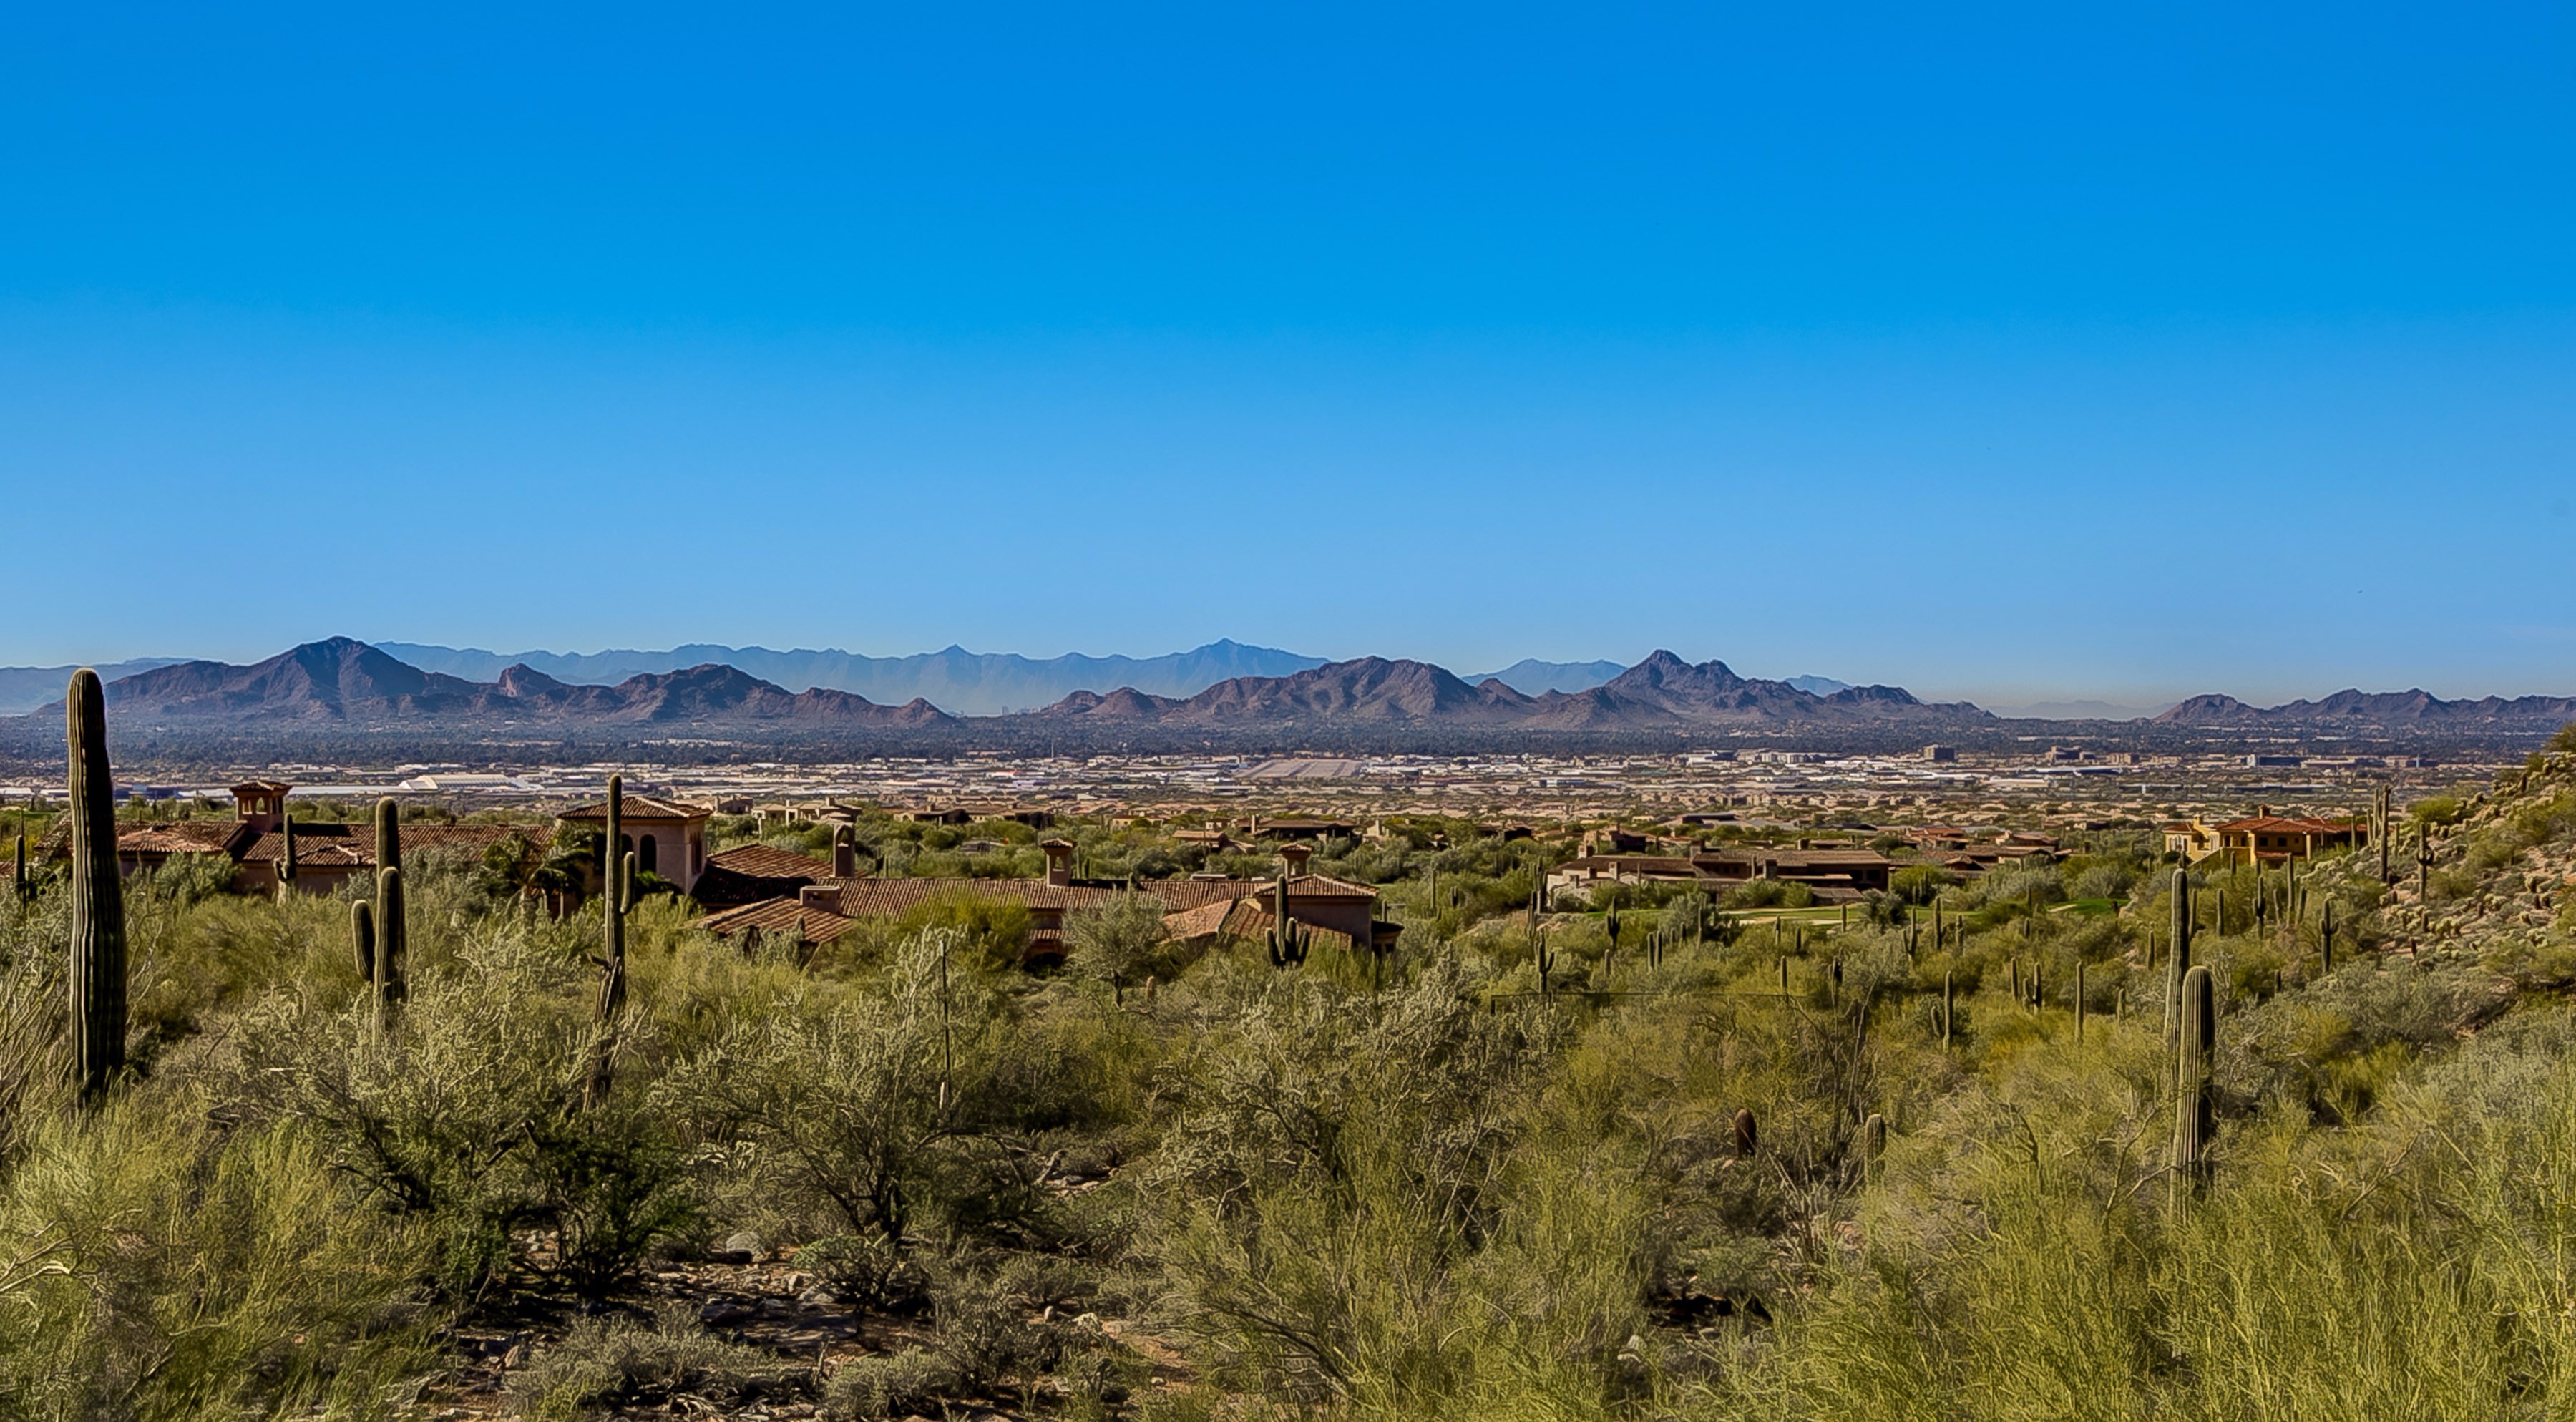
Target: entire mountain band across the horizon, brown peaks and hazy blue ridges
1212, 689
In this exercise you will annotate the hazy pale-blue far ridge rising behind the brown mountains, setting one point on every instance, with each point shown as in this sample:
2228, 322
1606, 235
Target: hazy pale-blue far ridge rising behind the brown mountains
957, 681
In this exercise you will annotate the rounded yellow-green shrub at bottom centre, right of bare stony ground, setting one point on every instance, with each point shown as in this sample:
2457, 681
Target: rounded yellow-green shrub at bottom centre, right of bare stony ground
1325, 1148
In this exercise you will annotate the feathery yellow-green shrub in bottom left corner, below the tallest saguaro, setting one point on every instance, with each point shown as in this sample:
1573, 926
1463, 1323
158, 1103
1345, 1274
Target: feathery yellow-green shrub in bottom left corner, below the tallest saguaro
161, 1269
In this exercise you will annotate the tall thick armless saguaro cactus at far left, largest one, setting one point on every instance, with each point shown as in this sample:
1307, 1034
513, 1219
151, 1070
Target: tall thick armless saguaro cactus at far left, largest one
99, 895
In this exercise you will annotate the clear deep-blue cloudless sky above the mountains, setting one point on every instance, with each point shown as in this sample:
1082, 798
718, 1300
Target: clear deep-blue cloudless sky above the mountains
2005, 352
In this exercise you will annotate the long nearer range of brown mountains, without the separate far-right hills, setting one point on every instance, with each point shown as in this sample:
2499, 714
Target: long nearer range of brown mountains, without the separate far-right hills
357, 687
